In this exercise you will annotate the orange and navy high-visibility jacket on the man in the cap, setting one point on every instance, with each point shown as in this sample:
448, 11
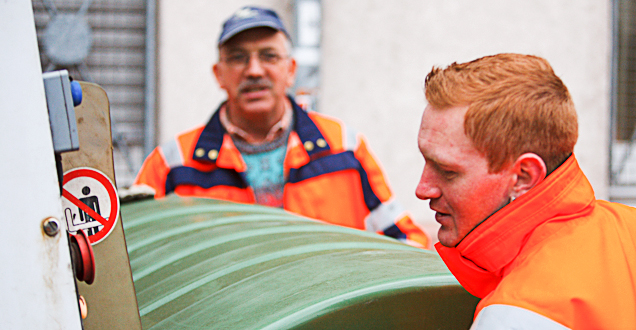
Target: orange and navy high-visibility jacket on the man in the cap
330, 174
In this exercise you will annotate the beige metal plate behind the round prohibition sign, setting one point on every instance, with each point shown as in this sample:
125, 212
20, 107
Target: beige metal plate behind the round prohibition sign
111, 297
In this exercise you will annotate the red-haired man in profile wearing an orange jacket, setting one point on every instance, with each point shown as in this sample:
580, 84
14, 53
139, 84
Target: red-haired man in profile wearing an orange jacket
520, 226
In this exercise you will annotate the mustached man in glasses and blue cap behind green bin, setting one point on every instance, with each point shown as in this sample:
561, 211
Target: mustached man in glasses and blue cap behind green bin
261, 147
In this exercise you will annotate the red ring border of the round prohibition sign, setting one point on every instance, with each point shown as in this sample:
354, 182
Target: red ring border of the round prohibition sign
112, 195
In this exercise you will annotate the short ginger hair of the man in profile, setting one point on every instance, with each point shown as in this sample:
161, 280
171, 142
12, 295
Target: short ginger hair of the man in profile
516, 104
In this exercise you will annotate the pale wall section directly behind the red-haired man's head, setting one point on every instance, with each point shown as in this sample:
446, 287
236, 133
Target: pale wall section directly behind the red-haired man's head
377, 53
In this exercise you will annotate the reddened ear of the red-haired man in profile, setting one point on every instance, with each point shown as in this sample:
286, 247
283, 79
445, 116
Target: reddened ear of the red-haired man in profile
530, 170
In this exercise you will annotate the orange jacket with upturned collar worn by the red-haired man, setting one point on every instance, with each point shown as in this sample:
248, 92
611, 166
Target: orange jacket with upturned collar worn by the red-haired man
554, 258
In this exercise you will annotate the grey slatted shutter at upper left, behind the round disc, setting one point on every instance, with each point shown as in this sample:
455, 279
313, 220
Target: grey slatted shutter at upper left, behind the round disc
116, 61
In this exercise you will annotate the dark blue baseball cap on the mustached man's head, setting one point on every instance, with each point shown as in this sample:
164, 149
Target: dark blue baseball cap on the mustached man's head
248, 18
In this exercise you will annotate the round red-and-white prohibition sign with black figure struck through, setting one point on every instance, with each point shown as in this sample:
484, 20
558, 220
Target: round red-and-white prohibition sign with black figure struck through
90, 203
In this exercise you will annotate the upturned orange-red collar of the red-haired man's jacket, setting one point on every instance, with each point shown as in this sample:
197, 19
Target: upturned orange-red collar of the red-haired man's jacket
479, 261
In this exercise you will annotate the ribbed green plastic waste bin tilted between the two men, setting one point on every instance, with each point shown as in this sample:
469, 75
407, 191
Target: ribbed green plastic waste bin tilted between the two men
207, 264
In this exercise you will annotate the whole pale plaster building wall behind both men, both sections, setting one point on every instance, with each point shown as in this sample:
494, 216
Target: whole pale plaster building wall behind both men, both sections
375, 55
